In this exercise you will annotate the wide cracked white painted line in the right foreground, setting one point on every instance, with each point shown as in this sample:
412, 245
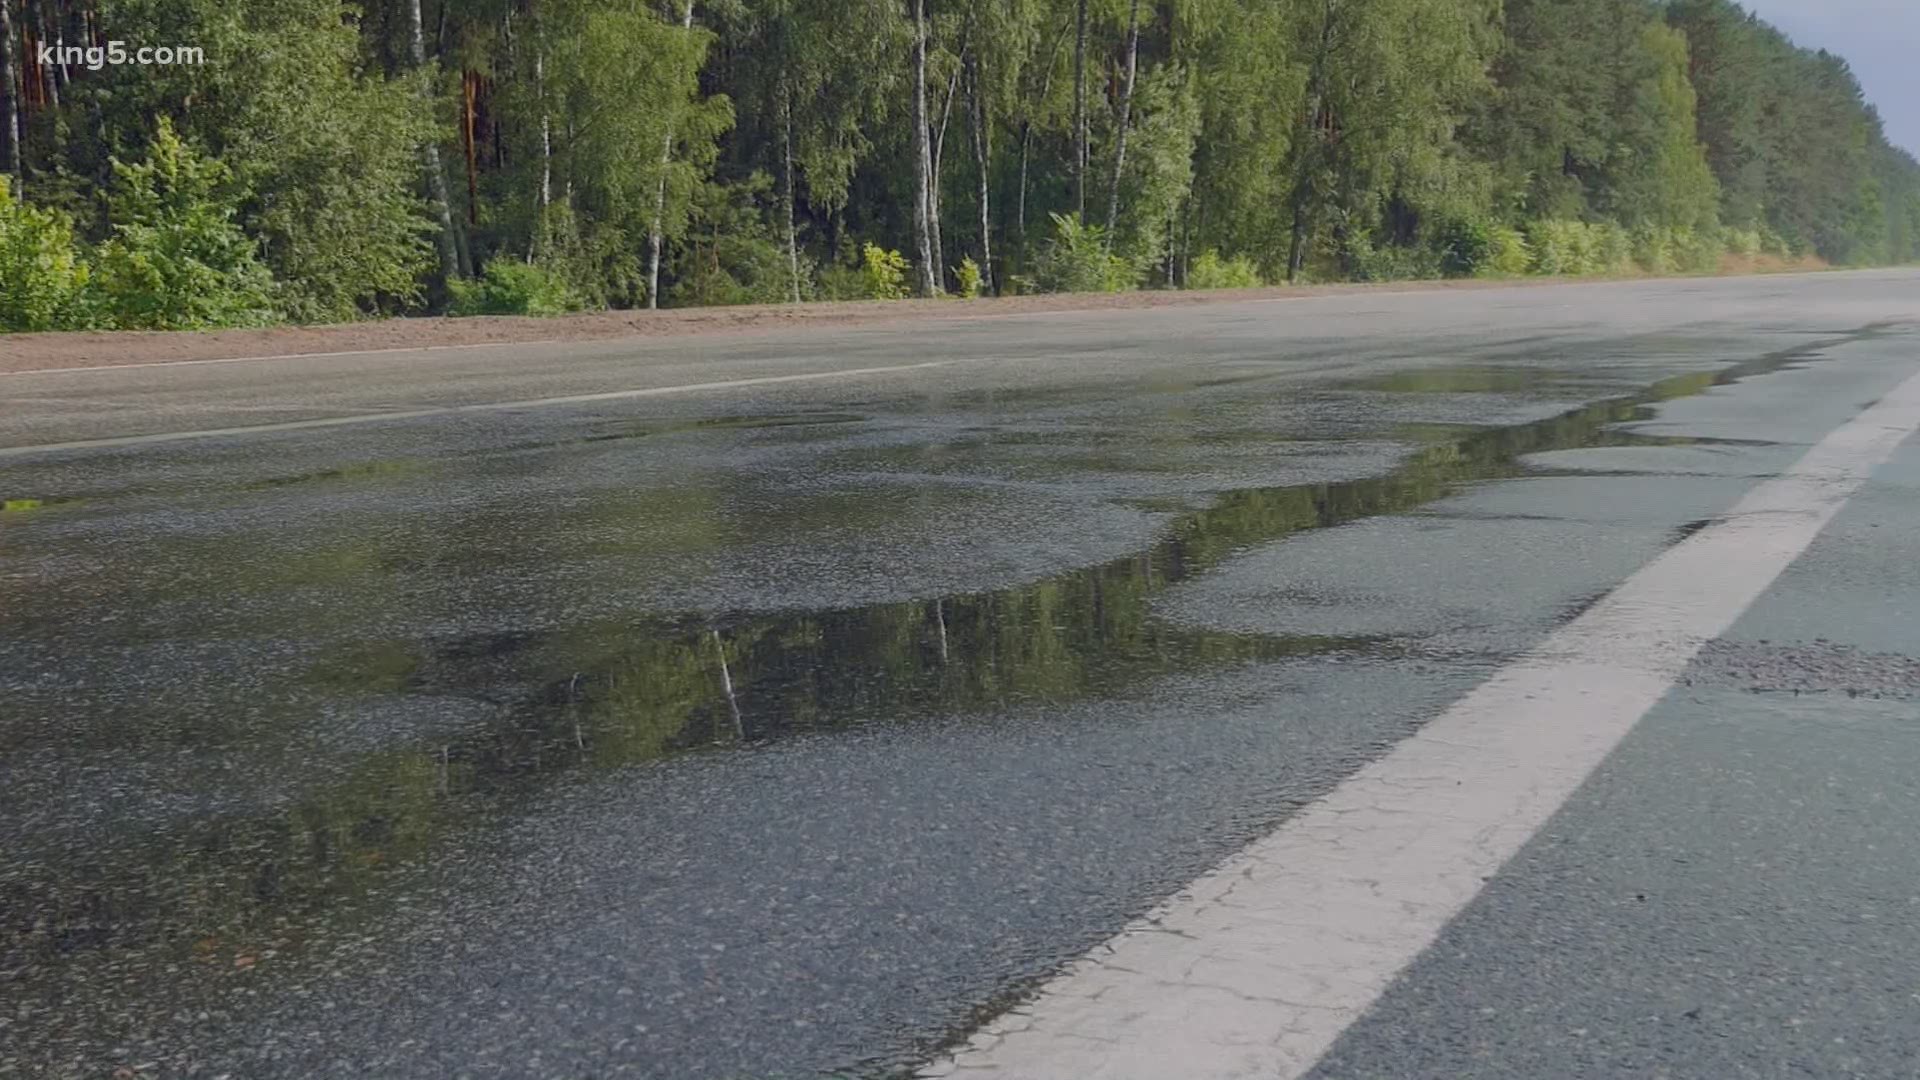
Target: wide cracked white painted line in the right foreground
1259, 968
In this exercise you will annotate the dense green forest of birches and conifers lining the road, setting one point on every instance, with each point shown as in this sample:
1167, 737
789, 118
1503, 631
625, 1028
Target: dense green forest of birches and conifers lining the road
333, 160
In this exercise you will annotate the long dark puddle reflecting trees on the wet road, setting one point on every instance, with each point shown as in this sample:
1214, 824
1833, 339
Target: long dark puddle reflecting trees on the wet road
623, 693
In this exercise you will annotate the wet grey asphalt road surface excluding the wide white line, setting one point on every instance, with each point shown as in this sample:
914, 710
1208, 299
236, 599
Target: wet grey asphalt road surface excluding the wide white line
796, 727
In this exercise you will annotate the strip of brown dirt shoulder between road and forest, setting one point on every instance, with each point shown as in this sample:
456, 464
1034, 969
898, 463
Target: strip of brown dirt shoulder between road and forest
74, 351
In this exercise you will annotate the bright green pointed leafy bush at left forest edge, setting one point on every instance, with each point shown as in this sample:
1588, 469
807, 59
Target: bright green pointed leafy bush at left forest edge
178, 258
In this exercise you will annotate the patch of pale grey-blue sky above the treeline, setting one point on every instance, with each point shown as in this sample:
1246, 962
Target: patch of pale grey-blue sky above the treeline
1881, 39
